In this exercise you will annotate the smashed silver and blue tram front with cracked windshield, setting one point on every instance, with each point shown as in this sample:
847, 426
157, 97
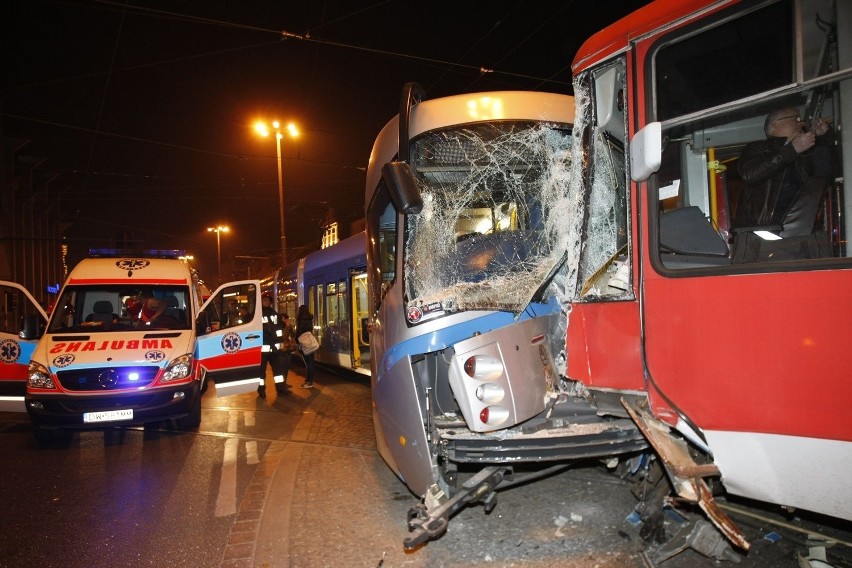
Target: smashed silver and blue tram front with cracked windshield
467, 272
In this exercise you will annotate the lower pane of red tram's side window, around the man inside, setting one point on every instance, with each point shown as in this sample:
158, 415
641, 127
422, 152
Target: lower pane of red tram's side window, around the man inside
704, 203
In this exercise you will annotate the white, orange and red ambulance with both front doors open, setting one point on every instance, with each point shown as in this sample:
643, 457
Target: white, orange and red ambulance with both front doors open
129, 340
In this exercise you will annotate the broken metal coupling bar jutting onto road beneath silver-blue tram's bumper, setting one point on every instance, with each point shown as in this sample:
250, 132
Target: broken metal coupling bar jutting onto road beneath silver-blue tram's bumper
426, 525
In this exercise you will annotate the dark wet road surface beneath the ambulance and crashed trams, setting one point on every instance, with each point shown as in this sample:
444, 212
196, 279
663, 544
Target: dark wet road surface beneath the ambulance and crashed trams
295, 481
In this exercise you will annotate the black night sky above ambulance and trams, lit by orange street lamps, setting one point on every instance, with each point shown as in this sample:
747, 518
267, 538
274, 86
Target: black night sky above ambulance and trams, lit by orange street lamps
142, 111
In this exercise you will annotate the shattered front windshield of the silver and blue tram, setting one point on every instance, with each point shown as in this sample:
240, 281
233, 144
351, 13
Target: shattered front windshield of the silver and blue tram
485, 238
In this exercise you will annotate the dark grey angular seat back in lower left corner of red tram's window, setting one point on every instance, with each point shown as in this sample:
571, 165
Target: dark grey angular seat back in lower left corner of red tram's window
687, 239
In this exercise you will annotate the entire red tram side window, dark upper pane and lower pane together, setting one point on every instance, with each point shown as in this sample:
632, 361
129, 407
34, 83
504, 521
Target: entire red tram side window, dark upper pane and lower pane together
712, 110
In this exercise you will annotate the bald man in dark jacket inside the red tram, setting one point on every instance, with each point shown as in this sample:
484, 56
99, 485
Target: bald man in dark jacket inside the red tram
786, 175
